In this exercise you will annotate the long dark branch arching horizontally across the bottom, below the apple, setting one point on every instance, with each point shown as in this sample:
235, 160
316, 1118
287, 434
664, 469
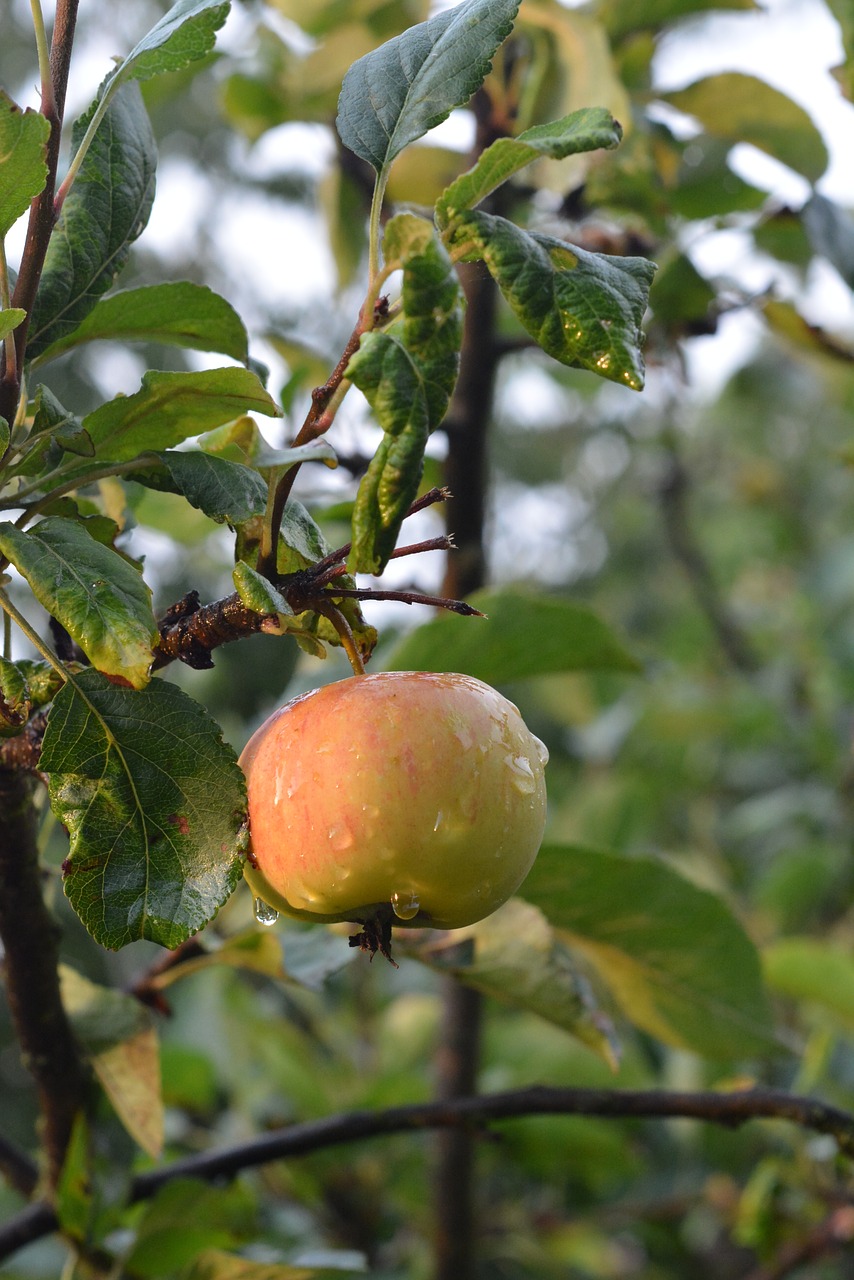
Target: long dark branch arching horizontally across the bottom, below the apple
730, 1110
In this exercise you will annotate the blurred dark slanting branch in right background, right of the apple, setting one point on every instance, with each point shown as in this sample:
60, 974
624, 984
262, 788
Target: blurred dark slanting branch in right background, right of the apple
674, 493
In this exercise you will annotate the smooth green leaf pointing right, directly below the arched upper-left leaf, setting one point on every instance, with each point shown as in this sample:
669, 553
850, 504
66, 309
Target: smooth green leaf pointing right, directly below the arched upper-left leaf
170, 408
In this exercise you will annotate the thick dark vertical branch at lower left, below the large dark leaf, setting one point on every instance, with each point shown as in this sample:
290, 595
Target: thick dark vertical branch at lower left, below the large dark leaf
30, 941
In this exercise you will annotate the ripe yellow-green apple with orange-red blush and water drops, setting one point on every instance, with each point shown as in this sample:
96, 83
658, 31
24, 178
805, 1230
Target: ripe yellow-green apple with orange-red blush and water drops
415, 790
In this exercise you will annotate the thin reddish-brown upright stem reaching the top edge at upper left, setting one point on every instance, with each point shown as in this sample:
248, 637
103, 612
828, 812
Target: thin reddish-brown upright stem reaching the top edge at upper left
43, 216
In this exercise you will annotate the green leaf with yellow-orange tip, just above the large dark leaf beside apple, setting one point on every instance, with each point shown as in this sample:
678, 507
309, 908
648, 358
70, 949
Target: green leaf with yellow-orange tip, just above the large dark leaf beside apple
95, 593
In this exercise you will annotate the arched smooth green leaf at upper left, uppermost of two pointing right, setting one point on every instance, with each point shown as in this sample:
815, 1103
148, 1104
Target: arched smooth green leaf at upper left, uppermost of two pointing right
179, 316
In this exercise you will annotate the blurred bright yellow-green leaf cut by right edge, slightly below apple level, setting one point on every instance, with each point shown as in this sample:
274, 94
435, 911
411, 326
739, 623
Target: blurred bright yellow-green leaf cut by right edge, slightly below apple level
812, 971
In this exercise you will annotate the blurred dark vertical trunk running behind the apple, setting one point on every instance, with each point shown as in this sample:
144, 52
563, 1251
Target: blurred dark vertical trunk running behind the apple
465, 476
